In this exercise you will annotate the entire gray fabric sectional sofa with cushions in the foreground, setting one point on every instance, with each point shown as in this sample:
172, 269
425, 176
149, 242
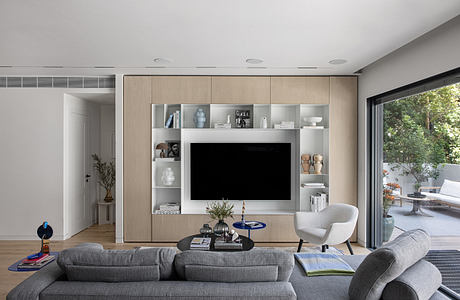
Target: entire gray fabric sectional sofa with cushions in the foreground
90, 272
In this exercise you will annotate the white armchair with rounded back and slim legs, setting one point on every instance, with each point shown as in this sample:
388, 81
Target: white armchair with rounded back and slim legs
331, 226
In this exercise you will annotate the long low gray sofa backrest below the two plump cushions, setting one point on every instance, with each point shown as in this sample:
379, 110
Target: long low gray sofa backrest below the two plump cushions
168, 290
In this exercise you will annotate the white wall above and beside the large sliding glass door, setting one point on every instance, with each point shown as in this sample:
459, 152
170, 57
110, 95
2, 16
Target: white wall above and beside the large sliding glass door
430, 54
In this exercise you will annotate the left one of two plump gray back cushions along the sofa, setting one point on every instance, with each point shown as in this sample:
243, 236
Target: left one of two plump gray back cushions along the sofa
90, 262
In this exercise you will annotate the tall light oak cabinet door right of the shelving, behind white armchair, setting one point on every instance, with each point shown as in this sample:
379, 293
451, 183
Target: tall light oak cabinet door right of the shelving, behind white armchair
343, 158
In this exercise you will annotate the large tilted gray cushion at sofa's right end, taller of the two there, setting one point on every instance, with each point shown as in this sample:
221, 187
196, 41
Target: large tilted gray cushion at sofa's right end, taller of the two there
387, 263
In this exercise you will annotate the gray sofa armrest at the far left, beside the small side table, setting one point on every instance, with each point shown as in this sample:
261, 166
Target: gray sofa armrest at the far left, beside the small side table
35, 284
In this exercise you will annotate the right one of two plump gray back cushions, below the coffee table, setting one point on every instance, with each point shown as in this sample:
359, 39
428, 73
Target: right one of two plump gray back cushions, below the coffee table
229, 266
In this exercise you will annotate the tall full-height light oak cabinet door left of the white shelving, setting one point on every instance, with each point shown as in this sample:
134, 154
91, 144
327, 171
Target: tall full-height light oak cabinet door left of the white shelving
136, 159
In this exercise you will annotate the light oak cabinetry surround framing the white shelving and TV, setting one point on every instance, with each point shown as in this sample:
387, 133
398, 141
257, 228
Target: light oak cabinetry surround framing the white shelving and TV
338, 94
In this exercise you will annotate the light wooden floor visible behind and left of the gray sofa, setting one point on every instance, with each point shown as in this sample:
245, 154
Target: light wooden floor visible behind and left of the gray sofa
12, 251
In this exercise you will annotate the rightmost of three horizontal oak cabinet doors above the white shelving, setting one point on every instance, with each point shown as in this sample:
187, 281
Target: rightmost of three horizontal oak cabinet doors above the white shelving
300, 90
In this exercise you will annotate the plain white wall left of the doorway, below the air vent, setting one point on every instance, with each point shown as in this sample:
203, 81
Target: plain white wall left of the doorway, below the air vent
31, 162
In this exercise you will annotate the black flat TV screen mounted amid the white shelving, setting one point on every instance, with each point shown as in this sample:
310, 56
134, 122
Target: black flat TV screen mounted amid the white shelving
240, 171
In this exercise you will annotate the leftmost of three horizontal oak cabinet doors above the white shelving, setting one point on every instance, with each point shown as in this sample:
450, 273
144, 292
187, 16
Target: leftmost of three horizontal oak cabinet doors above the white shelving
181, 89
